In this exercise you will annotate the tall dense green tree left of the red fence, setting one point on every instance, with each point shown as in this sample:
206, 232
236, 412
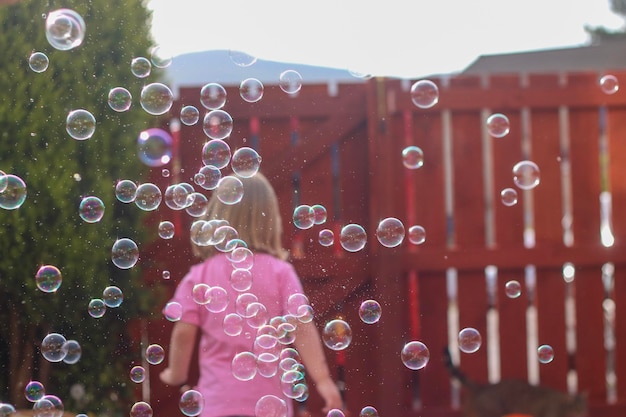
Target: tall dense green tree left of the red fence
58, 172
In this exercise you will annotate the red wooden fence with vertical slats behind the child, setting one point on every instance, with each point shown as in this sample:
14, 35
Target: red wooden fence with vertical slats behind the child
564, 241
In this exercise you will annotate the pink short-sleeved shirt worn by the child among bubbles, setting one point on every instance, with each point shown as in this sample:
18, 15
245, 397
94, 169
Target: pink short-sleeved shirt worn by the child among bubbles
273, 281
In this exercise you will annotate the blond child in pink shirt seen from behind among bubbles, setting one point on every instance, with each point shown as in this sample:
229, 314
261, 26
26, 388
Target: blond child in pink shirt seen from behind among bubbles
257, 220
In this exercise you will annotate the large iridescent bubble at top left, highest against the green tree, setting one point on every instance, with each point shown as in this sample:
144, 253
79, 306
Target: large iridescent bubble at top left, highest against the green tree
65, 29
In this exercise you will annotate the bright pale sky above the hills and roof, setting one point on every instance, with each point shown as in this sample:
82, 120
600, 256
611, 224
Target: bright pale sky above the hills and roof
402, 38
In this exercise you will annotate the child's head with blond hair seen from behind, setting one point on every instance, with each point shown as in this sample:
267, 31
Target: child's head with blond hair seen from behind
256, 218
